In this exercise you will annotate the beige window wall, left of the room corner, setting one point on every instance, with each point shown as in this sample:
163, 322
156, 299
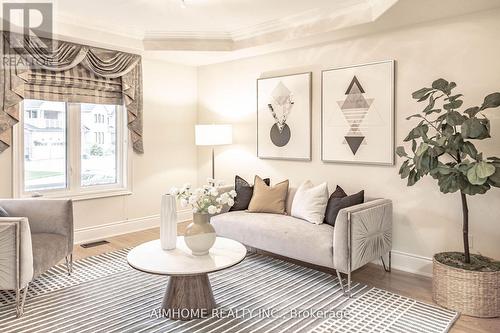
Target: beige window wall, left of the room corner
169, 159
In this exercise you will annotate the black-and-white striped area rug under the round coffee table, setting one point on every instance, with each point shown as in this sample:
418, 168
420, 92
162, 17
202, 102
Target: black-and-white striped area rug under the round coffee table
261, 294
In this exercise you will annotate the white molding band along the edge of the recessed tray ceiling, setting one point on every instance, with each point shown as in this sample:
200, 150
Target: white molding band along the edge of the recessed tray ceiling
311, 22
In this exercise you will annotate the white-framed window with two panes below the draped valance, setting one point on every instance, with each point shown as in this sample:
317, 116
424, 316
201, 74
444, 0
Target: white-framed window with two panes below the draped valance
68, 149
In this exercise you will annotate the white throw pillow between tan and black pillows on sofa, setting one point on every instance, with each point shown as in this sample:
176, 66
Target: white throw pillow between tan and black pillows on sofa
310, 202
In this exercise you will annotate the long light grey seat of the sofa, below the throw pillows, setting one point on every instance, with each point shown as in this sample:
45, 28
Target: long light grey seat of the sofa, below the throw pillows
279, 234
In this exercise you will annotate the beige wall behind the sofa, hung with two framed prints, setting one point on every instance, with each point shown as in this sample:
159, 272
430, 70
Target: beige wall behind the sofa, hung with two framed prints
462, 49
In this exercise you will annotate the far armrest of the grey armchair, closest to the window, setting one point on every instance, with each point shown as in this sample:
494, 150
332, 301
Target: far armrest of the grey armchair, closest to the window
44, 215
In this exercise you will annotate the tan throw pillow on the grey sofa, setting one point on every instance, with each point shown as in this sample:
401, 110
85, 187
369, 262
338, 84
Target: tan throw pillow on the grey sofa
268, 199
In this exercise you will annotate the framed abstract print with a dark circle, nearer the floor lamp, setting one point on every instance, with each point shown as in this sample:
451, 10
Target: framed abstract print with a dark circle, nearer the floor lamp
284, 117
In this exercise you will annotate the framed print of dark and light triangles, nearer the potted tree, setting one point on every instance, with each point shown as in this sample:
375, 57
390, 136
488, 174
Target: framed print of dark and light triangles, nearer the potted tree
358, 114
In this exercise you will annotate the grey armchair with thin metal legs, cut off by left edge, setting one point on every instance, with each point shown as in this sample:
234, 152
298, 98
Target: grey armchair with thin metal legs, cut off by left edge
37, 235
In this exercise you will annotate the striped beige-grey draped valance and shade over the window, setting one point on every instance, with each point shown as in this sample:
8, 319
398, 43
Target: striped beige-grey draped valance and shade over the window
62, 71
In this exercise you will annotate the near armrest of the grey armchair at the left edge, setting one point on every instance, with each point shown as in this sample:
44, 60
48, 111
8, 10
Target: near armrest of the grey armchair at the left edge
16, 254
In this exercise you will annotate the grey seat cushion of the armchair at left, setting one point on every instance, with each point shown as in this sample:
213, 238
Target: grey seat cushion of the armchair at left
48, 250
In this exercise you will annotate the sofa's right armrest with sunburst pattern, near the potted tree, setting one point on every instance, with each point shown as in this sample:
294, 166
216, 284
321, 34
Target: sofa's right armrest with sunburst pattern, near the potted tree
362, 234
